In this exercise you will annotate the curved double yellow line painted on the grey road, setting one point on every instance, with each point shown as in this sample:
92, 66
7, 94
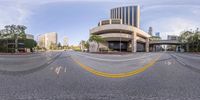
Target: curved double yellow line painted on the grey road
120, 75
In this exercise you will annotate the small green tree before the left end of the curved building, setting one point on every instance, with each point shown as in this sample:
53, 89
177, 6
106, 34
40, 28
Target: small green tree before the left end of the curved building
96, 38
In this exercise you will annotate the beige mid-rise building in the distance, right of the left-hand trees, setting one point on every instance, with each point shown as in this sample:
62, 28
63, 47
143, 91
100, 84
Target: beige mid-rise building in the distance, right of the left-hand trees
47, 39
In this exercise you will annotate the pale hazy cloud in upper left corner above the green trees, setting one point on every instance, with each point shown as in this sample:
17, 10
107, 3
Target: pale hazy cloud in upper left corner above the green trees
13, 12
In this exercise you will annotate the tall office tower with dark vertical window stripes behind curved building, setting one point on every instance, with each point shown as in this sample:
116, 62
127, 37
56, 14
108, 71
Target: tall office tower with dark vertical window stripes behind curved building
130, 15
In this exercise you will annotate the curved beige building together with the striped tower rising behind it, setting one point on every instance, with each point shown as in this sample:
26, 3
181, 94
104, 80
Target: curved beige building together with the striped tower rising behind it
121, 32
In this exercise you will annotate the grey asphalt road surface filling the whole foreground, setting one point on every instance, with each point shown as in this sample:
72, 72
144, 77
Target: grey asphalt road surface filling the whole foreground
81, 76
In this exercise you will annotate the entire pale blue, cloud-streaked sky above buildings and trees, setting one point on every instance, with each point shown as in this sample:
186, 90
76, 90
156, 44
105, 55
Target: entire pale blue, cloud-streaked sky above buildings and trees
74, 18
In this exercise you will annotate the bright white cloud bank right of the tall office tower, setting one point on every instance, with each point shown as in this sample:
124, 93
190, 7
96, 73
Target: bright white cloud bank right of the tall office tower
170, 19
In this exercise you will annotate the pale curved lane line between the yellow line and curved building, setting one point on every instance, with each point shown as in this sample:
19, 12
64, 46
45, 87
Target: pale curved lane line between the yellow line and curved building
111, 60
